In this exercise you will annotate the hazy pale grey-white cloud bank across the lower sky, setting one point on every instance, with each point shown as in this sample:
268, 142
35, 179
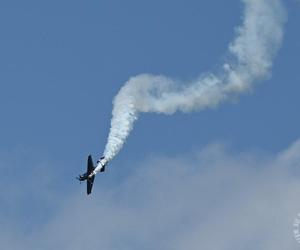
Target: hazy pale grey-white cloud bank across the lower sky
213, 199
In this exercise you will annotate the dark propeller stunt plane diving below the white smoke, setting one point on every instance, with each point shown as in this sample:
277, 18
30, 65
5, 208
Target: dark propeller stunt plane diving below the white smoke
89, 175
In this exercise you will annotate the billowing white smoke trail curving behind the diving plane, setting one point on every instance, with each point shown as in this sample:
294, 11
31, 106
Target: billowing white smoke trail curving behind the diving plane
257, 41
